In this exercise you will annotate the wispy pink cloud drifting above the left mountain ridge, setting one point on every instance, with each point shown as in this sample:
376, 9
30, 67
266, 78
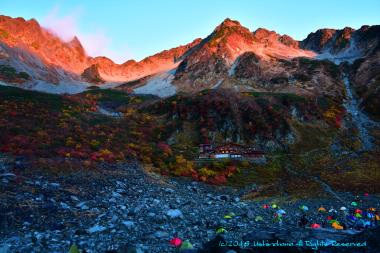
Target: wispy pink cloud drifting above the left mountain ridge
96, 42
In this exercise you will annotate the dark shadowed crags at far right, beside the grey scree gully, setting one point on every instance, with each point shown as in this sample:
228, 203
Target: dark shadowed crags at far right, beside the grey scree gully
359, 50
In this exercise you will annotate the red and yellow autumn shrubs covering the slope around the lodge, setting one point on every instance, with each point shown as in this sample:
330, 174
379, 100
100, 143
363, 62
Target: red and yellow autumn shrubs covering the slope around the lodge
71, 127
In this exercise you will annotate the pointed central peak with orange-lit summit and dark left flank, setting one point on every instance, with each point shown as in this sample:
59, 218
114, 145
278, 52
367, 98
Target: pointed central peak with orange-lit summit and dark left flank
212, 59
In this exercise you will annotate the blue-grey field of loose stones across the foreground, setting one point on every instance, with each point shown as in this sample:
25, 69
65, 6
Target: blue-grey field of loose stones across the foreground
120, 207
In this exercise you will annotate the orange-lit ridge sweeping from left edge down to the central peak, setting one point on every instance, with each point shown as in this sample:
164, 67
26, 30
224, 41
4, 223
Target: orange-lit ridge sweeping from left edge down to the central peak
53, 60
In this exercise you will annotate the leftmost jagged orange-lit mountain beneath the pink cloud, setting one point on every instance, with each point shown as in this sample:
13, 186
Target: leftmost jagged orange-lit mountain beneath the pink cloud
29, 48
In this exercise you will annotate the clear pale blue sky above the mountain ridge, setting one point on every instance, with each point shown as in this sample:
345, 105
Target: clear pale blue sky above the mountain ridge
135, 29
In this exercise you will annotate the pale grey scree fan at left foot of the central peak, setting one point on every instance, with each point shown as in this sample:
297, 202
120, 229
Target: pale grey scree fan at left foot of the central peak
159, 85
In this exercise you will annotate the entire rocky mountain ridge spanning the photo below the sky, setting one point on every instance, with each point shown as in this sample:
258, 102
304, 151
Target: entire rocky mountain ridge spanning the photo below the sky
231, 57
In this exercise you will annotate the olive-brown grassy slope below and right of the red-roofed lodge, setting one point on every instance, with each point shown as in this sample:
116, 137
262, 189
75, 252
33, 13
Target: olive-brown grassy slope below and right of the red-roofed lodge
312, 156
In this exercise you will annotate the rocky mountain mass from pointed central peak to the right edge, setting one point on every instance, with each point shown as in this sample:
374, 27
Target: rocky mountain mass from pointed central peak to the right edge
234, 57
